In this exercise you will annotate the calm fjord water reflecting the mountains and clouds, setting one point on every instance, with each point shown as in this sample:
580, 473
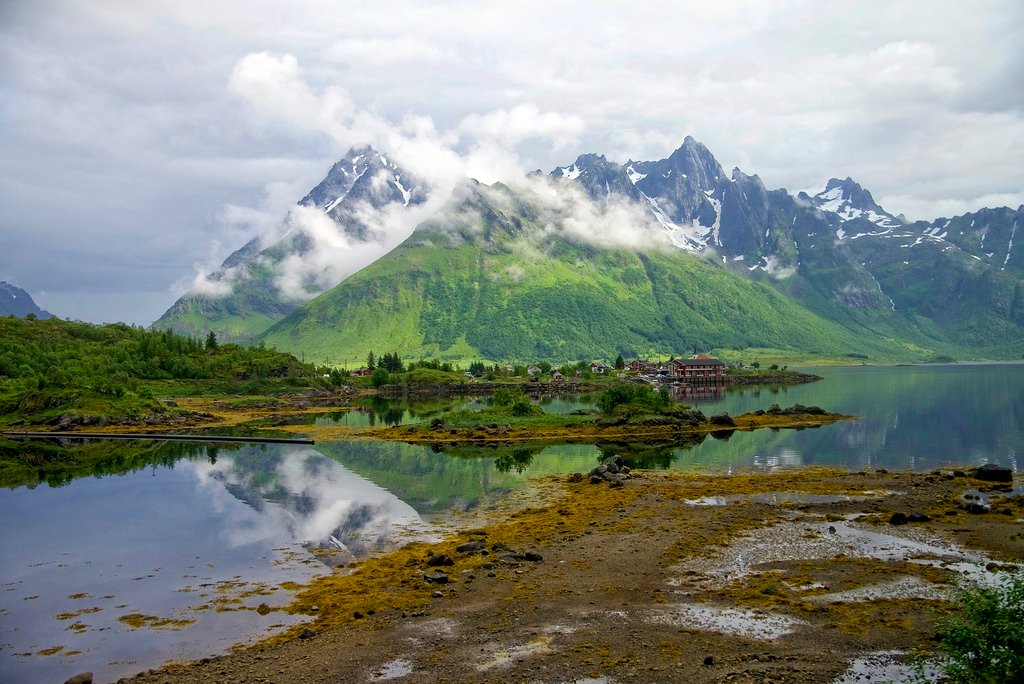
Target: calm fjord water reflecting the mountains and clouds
140, 565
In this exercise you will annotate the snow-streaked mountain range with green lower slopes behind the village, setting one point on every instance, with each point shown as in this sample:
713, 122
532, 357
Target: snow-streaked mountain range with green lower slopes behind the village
599, 259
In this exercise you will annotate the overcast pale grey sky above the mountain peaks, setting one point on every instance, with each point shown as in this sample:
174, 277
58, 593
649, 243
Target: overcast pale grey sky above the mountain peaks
142, 143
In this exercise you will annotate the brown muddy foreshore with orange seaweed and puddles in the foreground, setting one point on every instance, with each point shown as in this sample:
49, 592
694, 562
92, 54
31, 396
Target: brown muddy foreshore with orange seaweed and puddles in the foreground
787, 577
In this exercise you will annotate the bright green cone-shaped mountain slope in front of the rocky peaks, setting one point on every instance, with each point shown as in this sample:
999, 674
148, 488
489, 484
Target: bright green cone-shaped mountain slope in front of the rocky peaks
491, 279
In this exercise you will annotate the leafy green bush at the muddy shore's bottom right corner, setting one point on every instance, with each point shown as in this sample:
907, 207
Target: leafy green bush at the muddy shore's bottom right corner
987, 643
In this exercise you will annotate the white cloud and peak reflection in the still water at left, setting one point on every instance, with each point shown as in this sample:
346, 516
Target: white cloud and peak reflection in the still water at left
305, 493
